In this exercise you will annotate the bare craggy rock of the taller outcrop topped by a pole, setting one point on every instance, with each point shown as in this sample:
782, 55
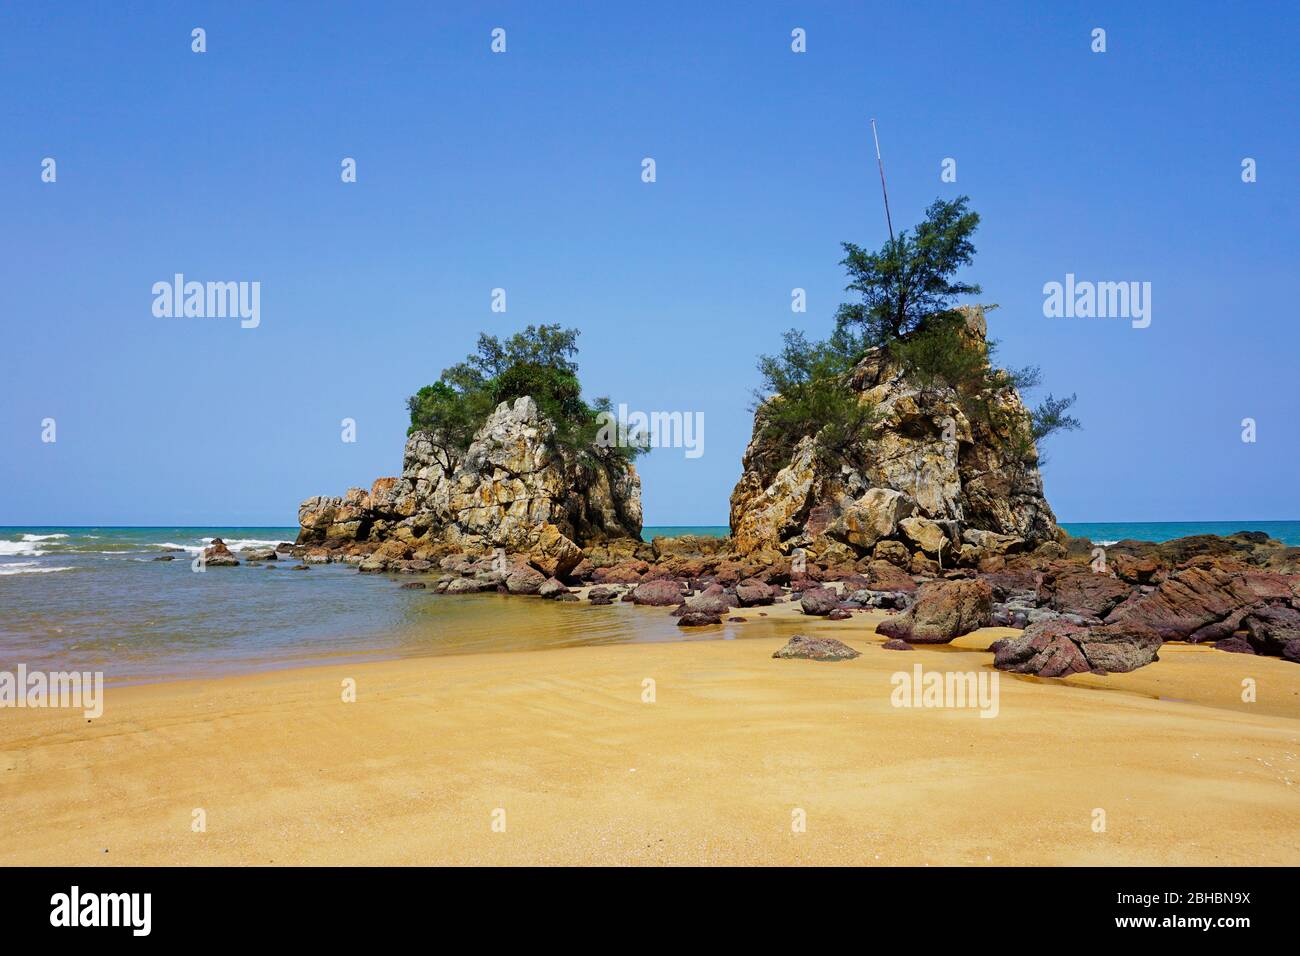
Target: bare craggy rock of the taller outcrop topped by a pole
928, 475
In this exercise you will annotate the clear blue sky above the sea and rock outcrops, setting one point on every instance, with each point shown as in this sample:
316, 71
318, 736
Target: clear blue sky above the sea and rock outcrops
523, 171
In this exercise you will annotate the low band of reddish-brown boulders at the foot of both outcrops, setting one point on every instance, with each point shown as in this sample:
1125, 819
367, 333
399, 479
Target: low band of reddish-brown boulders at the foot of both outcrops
1081, 608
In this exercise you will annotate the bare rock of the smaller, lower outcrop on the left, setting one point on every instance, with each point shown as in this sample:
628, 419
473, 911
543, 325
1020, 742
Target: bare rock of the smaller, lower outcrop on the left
513, 488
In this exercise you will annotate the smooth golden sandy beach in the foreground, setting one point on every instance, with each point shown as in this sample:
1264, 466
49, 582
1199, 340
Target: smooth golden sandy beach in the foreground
734, 749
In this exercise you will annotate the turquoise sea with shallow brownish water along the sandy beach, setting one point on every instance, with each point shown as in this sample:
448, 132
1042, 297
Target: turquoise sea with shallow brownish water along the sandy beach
97, 599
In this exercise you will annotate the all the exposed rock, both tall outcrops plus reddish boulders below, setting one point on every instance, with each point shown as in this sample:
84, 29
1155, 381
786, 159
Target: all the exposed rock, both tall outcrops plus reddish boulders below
935, 517
